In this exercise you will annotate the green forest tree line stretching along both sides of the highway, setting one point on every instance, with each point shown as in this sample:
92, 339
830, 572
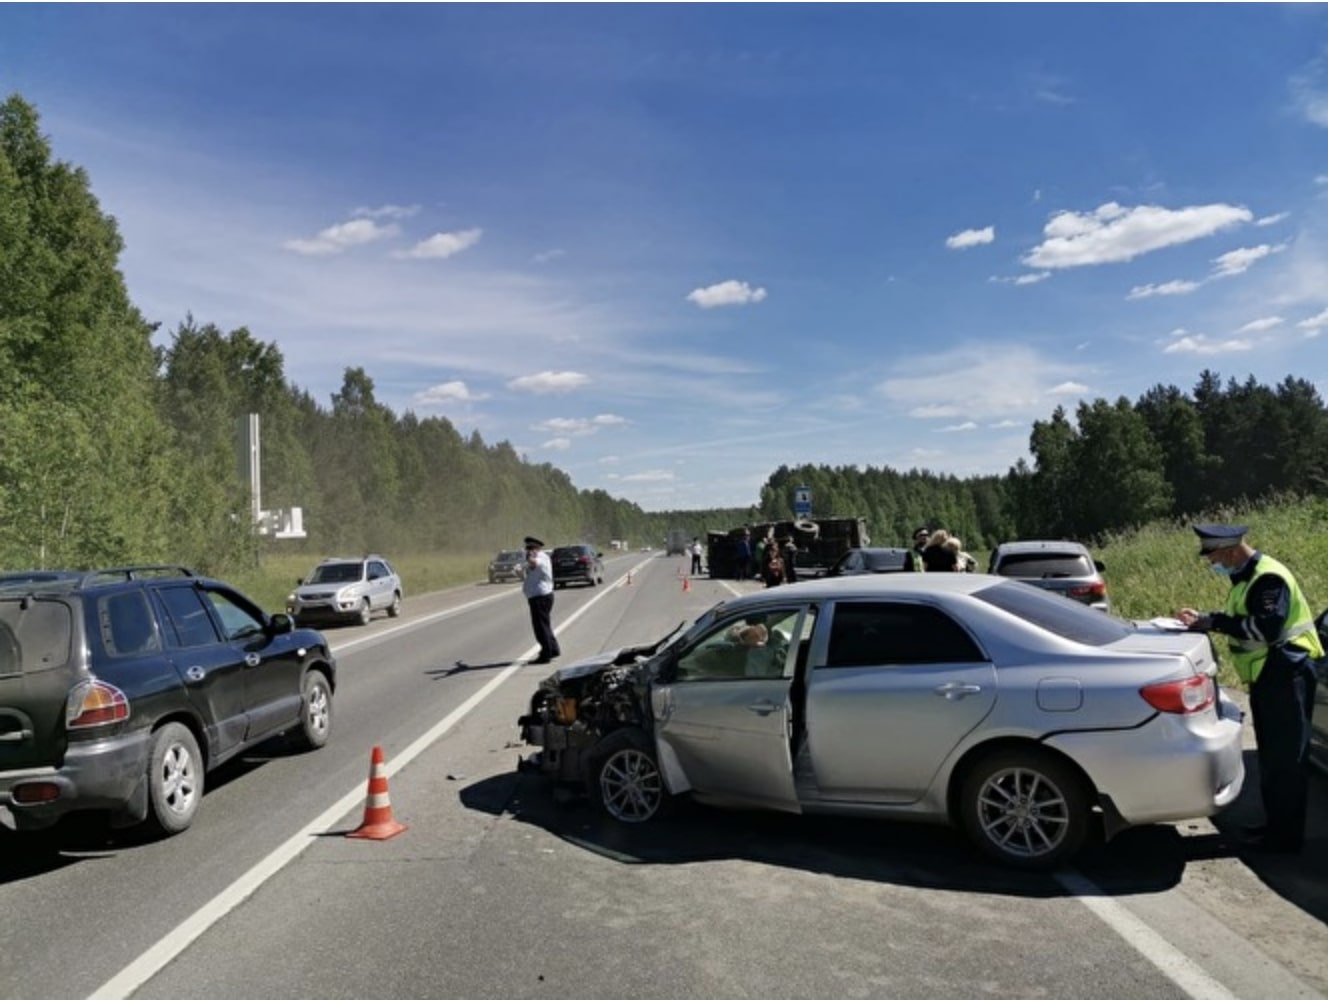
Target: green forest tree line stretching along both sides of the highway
114, 451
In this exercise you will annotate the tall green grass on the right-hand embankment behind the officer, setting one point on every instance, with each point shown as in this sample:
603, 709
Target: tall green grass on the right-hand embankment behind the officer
1157, 570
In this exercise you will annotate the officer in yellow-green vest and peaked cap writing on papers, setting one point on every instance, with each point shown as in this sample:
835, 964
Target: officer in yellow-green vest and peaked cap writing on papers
1274, 646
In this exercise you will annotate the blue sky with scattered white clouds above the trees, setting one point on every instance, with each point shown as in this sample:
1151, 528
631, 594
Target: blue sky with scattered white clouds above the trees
669, 249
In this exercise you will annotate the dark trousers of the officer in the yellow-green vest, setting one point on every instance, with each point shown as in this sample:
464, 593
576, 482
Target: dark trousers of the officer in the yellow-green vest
1282, 703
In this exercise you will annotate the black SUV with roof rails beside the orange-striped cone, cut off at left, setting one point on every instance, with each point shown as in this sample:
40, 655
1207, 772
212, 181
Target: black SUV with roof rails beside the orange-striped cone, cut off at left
120, 689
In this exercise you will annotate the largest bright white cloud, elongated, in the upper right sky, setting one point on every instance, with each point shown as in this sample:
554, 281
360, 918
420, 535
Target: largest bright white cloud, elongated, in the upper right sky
1114, 233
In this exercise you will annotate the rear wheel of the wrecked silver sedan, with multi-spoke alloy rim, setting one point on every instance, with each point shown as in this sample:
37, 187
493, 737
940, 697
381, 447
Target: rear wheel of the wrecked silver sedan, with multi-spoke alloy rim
1026, 809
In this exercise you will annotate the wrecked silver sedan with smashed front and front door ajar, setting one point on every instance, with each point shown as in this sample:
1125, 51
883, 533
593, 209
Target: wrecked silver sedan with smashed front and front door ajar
1025, 719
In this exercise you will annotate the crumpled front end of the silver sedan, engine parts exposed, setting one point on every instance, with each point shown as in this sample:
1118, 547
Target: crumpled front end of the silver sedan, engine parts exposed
576, 708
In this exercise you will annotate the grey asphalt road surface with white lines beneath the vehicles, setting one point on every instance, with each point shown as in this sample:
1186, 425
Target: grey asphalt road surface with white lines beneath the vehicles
500, 890
